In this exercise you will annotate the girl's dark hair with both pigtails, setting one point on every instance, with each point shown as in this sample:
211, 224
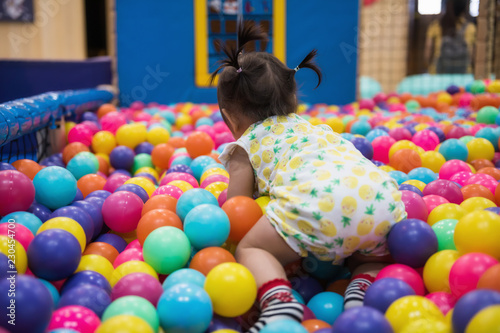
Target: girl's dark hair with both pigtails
257, 84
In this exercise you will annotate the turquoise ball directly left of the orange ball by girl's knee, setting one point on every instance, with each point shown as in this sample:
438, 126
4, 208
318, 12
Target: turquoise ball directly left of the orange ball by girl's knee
206, 225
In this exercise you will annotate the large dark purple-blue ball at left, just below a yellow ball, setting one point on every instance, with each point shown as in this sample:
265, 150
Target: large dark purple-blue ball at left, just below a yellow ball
54, 254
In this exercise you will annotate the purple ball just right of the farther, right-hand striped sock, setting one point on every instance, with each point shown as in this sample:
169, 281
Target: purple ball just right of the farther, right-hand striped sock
383, 292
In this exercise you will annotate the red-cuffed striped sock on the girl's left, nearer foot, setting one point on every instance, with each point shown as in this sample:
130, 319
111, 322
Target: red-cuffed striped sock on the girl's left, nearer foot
277, 303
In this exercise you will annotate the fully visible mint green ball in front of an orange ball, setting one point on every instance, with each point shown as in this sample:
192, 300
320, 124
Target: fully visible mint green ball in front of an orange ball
166, 249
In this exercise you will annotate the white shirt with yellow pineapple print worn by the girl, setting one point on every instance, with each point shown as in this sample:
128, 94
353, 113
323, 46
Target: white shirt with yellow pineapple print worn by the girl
326, 198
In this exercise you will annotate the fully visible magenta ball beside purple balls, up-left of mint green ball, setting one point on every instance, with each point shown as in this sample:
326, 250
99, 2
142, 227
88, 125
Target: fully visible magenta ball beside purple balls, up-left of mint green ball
122, 210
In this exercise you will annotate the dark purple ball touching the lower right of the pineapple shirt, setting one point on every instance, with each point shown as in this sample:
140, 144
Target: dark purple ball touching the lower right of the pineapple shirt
411, 242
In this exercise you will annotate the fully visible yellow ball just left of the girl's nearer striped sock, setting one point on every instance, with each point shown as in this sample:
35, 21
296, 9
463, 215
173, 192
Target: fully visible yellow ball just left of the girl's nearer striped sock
232, 289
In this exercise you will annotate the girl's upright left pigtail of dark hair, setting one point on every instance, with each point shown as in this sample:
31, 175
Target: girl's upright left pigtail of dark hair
246, 33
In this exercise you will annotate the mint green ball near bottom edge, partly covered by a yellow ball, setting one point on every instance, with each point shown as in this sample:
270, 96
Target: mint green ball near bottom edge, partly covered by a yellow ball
135, 306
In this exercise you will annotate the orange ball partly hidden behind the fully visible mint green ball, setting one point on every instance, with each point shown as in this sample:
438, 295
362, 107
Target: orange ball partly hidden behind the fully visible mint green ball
155, 219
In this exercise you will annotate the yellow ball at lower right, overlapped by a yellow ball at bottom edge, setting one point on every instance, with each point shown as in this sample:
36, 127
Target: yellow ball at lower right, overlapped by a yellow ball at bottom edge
408, 309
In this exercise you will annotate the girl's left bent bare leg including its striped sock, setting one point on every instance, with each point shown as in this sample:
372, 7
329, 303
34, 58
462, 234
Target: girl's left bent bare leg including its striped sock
264, 253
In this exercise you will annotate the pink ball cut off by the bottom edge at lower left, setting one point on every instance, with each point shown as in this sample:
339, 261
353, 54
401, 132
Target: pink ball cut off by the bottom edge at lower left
75, 317
